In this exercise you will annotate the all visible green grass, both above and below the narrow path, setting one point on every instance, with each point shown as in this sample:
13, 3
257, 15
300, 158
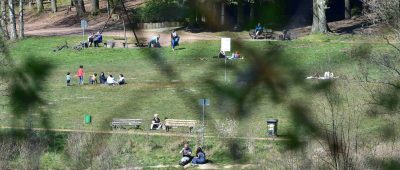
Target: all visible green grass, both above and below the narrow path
150, 90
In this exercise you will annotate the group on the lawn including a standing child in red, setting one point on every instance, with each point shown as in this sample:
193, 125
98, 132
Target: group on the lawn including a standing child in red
93, 79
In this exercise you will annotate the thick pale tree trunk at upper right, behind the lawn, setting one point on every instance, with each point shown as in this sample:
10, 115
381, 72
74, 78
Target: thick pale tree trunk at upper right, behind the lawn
319, 17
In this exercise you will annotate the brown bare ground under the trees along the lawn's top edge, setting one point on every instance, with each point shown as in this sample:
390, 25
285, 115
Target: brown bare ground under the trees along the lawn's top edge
67, 23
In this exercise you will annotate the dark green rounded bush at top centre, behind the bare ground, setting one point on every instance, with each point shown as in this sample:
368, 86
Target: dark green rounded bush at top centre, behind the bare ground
161, 10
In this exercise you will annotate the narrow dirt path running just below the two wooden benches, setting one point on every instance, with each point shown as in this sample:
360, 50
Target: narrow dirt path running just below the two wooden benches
136, 132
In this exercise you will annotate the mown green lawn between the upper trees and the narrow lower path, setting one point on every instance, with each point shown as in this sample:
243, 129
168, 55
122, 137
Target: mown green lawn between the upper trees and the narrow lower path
150, 91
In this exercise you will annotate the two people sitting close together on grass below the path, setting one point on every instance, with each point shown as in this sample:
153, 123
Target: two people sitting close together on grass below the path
199, 158
